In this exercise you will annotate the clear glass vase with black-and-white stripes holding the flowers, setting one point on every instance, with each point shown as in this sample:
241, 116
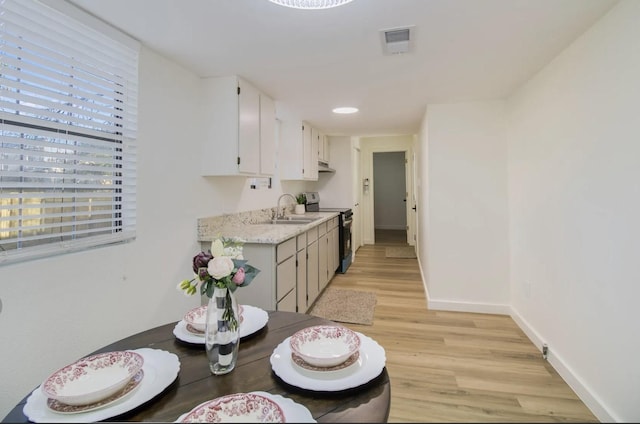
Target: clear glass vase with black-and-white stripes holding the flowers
222, 337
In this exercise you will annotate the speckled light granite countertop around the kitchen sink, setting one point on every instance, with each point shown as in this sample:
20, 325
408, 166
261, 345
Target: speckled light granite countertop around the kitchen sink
251, 227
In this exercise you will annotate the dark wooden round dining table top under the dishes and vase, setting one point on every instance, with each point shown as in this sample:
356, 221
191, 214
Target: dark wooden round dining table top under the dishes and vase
369, 402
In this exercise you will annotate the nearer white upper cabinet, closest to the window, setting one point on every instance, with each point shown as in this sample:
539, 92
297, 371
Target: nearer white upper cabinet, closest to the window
240, 128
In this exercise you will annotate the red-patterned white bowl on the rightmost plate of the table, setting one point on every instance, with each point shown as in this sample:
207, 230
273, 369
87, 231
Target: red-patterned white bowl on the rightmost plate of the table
324, 345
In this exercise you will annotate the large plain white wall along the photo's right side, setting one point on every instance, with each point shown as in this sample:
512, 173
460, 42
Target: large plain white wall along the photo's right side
574, 191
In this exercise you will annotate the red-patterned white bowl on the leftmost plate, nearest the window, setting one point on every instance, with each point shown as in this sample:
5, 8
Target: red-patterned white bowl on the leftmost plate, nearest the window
93, 378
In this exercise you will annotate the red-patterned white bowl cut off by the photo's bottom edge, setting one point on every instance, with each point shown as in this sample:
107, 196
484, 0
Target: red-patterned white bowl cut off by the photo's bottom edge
239, 407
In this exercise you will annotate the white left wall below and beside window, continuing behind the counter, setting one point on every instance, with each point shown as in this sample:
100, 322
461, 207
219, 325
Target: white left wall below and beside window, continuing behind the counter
57, 310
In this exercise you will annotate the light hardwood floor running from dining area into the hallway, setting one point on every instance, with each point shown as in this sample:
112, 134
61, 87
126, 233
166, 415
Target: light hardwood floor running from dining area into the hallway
453, 366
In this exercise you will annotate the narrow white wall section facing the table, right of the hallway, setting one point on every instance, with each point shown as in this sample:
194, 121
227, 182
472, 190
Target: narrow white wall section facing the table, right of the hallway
467, 244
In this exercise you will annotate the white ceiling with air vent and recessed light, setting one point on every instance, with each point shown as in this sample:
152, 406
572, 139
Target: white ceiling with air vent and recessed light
314, 60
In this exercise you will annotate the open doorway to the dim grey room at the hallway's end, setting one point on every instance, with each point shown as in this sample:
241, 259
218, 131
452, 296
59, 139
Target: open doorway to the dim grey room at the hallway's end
390, 196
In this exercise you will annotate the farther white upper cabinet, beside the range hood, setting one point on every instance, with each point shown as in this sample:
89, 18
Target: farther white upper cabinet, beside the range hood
297, 150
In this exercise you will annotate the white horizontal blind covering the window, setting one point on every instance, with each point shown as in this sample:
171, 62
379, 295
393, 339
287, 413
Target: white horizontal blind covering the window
68, 122
